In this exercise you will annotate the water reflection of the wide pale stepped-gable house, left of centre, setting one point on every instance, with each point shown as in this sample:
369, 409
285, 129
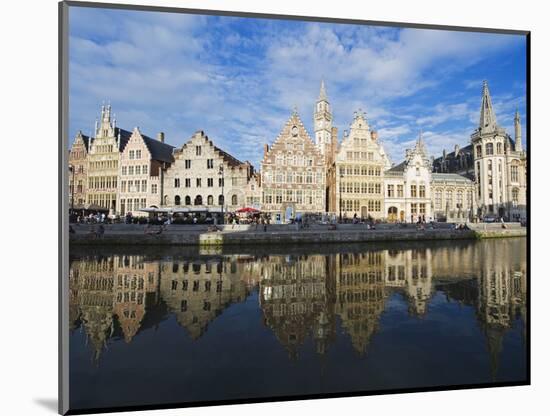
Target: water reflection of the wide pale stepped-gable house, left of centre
198, 291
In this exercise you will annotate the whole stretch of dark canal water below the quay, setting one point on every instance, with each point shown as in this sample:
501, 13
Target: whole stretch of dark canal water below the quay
161, 326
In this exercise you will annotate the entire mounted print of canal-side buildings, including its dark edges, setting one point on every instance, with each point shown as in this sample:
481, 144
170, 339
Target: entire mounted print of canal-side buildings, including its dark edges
260, 208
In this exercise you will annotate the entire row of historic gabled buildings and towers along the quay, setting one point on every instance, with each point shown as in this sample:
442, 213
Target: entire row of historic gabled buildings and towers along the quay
119, 171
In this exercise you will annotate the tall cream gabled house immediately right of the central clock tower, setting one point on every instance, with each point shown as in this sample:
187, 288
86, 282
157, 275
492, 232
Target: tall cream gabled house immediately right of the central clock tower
356, 179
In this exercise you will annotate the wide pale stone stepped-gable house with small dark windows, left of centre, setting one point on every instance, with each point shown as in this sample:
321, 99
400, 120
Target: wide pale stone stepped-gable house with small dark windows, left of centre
205, 178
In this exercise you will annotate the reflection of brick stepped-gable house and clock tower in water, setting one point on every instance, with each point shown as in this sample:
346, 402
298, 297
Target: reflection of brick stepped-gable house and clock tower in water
294, 300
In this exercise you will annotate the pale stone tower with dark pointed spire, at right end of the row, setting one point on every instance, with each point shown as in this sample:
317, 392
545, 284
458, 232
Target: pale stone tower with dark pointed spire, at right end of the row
491, 145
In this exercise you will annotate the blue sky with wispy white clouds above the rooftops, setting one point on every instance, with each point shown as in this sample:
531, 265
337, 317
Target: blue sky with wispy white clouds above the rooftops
238, 79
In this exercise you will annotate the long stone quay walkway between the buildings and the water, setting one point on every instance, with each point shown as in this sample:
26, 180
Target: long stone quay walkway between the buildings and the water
133, 234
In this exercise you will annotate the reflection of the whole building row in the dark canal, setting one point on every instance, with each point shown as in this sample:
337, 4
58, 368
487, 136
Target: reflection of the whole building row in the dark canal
300, 295
